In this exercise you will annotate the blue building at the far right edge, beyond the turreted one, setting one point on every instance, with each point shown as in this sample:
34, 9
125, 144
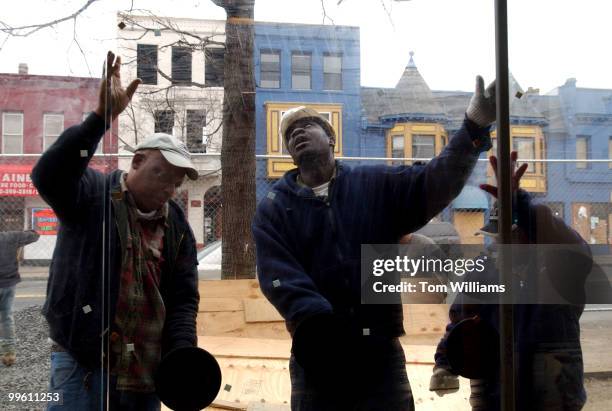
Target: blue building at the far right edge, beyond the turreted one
580, 128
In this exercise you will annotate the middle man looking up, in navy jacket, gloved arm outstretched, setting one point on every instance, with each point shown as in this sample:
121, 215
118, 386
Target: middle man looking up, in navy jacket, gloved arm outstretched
309, 231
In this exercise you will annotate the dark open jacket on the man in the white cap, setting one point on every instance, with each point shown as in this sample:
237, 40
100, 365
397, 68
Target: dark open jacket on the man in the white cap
86, 266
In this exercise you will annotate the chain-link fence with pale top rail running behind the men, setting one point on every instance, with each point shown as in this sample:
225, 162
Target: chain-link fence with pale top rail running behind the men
578, 191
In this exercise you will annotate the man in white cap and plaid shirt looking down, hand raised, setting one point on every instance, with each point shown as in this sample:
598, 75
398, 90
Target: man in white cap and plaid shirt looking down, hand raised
122, 290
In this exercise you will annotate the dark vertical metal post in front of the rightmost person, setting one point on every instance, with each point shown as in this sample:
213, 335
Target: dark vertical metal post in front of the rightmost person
504, 176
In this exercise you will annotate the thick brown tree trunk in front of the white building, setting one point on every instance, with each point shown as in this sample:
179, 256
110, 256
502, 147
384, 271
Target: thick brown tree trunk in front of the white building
238, 147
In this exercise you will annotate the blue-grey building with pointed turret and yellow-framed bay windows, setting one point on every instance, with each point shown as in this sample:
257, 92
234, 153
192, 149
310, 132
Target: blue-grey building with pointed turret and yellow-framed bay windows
412, 121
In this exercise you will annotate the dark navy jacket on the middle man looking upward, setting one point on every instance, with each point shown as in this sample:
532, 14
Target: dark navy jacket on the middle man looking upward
308, 249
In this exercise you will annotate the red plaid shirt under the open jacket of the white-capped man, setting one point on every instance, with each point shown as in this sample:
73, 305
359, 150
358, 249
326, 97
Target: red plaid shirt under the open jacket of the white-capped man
140, 314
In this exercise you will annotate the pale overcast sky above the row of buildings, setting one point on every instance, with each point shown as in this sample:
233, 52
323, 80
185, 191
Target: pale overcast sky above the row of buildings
453, 40
